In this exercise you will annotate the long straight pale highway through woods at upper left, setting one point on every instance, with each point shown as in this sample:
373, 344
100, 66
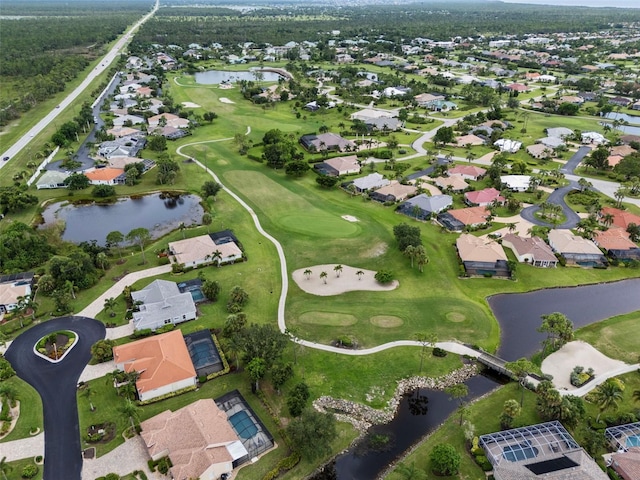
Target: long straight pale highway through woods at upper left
104, 64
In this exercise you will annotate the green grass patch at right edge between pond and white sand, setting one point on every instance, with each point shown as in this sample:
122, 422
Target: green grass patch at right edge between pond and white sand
613, 337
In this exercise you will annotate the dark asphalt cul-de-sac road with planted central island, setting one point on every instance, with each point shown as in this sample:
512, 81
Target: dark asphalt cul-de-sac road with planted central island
57, 385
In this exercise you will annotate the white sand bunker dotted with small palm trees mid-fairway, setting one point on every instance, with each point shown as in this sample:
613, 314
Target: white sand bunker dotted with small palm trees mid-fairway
346, 282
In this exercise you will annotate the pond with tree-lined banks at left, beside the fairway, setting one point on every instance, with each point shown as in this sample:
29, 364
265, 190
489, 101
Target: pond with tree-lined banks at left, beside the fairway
158, 213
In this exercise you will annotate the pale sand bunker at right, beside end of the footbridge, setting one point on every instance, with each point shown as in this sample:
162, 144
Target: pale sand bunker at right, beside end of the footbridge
560, 364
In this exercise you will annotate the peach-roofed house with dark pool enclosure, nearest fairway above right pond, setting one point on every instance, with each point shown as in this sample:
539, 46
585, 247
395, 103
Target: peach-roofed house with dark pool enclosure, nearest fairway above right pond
481, 256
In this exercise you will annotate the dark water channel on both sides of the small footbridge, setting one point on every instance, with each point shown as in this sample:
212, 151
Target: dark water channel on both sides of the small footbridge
519, 318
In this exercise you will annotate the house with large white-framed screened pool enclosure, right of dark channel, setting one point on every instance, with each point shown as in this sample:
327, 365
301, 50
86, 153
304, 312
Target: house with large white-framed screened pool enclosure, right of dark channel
536, 452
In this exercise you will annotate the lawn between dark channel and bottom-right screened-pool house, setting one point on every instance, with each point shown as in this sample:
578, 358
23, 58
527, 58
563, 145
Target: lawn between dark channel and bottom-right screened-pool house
484, 415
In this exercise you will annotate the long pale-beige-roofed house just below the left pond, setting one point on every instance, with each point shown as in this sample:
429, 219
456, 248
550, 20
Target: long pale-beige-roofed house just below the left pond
202, 250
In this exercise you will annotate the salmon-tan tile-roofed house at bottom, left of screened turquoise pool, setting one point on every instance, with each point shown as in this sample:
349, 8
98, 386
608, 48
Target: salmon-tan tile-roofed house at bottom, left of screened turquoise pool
198, 440
